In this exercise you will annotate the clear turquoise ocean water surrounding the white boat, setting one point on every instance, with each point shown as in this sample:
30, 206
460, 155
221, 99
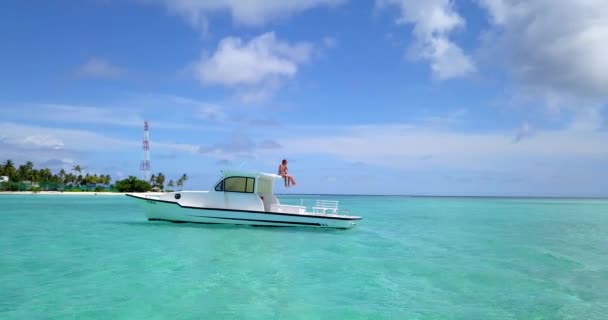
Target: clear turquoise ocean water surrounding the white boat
96, 257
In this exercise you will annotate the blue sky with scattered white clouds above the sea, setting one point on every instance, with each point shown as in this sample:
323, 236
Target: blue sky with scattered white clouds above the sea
484, 97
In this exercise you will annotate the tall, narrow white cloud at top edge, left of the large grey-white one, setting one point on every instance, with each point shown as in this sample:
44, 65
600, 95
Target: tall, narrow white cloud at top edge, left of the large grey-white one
433, 21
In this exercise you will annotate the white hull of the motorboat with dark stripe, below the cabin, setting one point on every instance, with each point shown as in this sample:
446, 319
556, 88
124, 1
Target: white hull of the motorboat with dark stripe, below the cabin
161, 210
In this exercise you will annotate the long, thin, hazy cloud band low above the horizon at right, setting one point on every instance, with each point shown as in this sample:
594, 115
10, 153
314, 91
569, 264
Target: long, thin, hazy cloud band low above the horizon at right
405, 146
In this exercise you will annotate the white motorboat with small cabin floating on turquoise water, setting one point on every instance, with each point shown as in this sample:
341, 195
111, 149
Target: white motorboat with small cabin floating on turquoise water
242, 197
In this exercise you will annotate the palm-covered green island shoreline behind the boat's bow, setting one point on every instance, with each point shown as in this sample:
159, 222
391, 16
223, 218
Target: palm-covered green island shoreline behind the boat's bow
26, 177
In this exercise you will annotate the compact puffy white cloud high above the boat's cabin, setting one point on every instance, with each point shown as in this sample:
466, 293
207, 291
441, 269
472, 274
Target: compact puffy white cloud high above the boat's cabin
255, 67
